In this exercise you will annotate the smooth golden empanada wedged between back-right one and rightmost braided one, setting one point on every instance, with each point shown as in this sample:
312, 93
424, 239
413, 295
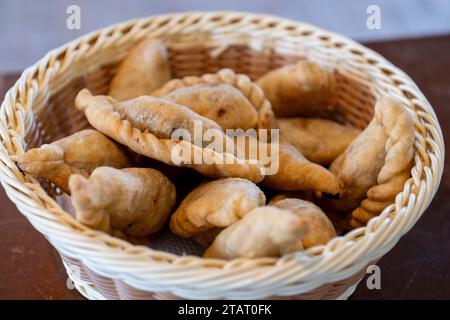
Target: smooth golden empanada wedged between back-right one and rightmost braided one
319, 140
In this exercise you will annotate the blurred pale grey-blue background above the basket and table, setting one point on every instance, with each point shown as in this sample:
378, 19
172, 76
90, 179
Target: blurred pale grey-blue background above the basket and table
30, 28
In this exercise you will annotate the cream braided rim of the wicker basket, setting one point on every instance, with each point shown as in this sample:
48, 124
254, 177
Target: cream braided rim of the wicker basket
44, 213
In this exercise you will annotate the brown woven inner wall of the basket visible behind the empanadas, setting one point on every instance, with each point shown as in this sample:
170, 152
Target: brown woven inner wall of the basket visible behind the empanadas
54, 116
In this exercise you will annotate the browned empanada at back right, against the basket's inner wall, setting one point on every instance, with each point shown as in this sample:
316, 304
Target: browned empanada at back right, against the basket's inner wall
303, 89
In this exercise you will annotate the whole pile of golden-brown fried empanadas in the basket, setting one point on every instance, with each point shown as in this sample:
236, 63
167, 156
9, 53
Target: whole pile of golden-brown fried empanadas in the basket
329, 177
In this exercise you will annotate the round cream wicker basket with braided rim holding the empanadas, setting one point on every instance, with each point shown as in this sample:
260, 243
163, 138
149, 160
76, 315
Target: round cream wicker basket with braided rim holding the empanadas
39, 108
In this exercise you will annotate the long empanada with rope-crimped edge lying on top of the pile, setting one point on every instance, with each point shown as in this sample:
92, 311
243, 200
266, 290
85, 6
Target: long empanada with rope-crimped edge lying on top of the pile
147, 124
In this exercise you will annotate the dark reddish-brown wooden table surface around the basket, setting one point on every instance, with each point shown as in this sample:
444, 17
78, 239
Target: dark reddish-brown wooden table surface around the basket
418, 267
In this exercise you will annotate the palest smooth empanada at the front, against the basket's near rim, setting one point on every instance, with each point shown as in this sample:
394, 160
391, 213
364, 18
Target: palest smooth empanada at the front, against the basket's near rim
263, 232
